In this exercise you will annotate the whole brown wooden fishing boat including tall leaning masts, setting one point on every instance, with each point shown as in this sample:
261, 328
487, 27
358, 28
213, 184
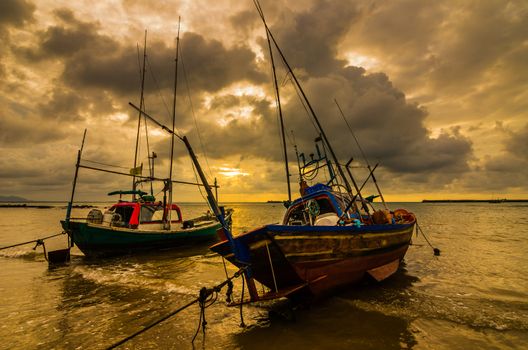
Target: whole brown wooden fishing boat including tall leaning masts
330, 237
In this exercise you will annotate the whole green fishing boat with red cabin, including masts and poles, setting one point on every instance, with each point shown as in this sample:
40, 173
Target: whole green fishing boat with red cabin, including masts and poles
142, 223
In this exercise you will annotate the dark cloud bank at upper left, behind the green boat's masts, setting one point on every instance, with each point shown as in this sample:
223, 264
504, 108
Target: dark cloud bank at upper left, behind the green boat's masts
94, 60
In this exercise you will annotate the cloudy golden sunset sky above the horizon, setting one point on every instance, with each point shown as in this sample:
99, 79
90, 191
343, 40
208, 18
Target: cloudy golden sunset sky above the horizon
436, 92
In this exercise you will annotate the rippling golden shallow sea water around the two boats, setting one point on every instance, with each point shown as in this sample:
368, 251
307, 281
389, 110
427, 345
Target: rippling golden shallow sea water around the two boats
475, 295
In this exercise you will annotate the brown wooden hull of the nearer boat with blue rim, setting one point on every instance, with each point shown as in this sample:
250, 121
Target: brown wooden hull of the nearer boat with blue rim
320, 258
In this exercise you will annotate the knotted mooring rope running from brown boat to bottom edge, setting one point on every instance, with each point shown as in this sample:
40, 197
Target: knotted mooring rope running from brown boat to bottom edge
206, 298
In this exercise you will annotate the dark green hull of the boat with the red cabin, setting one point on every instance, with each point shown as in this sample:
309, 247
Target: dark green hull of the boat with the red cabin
98, 240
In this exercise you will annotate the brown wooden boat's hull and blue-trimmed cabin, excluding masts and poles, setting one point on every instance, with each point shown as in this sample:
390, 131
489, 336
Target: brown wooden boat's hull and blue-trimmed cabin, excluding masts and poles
298, 259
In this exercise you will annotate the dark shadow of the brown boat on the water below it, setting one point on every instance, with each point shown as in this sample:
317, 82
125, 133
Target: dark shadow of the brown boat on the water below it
338, 322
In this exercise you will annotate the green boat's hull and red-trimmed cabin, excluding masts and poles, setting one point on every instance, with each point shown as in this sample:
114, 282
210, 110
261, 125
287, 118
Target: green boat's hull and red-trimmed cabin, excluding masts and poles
139, 225
